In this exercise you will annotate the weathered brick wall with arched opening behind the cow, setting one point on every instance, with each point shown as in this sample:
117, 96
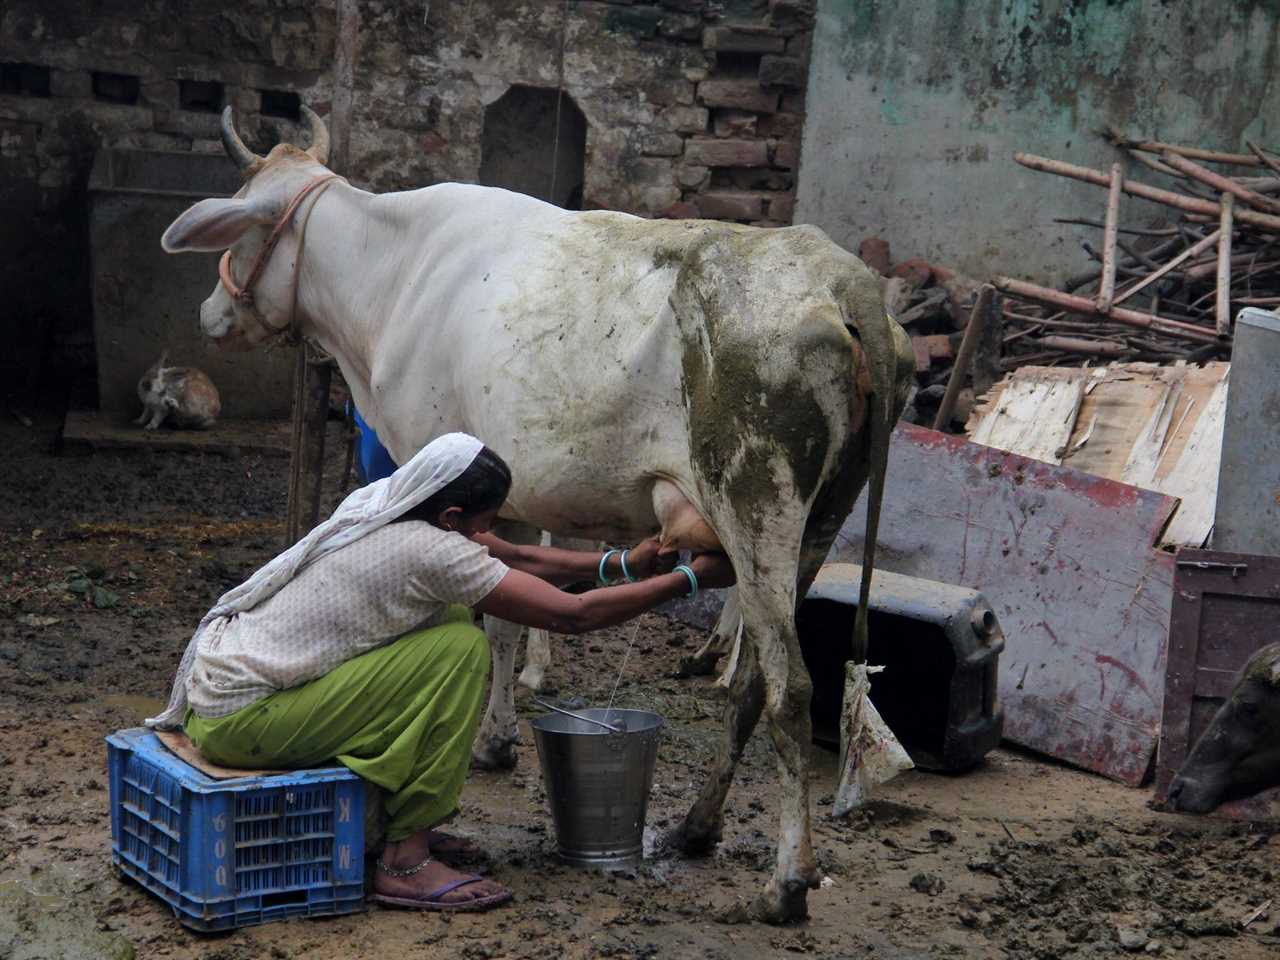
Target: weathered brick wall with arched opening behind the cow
694, 108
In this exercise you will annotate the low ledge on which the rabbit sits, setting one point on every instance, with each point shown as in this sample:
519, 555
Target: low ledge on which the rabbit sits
230, 438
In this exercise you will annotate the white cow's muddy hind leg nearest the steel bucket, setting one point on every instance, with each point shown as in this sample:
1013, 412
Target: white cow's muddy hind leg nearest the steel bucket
705, 822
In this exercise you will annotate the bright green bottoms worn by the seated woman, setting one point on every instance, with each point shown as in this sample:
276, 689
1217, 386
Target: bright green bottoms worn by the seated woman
403, 717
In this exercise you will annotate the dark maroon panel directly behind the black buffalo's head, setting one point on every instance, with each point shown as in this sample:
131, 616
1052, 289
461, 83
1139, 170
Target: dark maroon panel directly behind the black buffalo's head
1226, 607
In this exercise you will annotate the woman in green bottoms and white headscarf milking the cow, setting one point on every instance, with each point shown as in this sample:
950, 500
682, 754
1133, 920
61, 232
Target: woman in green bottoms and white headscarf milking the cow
358, 644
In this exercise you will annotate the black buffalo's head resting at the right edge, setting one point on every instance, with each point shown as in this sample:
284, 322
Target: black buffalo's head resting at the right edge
1240, 753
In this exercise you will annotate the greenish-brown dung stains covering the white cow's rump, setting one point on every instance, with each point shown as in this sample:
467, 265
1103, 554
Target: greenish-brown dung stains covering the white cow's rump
787, 395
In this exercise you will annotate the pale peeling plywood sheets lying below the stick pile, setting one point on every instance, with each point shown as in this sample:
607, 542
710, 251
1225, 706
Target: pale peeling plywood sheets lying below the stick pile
1154, 427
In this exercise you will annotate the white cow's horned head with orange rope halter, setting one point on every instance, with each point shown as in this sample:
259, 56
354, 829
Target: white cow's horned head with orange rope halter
243, 225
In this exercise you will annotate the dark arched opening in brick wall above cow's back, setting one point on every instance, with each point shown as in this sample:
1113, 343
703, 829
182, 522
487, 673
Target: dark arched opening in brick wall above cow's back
522, 150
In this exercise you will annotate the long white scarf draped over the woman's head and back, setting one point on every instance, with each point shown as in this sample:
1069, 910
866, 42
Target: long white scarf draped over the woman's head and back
363, 513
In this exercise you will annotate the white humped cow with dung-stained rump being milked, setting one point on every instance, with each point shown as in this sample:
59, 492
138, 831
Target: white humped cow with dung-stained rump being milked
728, 386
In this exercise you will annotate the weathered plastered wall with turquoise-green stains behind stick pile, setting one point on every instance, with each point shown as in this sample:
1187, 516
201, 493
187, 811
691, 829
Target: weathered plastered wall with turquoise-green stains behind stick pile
917, 109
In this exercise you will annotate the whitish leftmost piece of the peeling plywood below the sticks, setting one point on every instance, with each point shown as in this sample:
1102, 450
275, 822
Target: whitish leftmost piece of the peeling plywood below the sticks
1034, 418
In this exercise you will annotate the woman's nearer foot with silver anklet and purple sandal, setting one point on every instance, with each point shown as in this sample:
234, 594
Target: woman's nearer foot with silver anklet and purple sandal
409, 876
